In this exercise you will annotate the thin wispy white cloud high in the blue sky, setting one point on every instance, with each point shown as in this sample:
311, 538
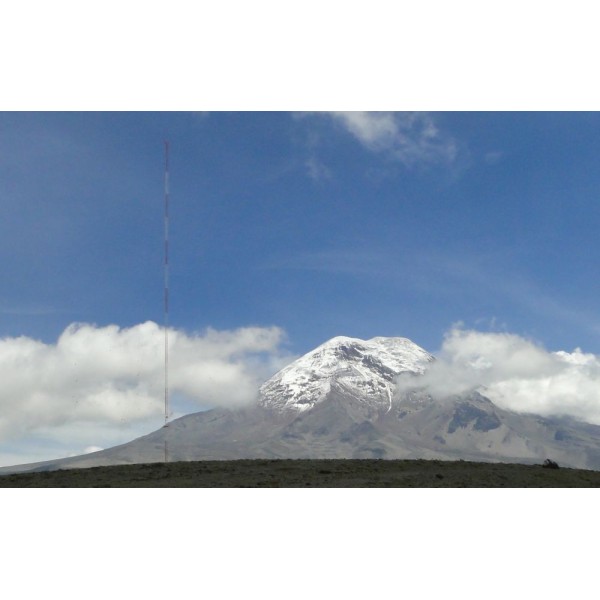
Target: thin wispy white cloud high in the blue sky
409, 137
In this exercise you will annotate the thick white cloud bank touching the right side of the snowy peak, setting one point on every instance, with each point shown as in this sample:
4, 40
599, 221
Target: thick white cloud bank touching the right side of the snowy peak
516, 374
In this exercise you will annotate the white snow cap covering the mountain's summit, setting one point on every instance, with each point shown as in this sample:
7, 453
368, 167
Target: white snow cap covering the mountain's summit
364, 369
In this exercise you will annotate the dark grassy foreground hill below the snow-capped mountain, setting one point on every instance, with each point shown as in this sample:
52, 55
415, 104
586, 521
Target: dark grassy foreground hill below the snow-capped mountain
364, 473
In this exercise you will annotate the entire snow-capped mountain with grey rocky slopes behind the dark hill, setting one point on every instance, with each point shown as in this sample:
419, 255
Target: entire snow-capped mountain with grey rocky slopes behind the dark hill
339, 401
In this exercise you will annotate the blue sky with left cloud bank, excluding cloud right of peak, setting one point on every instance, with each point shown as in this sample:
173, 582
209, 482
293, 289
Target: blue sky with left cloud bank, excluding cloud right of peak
286, 229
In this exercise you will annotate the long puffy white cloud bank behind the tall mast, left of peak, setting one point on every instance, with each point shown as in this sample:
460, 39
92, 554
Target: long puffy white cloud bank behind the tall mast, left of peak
108, 379
